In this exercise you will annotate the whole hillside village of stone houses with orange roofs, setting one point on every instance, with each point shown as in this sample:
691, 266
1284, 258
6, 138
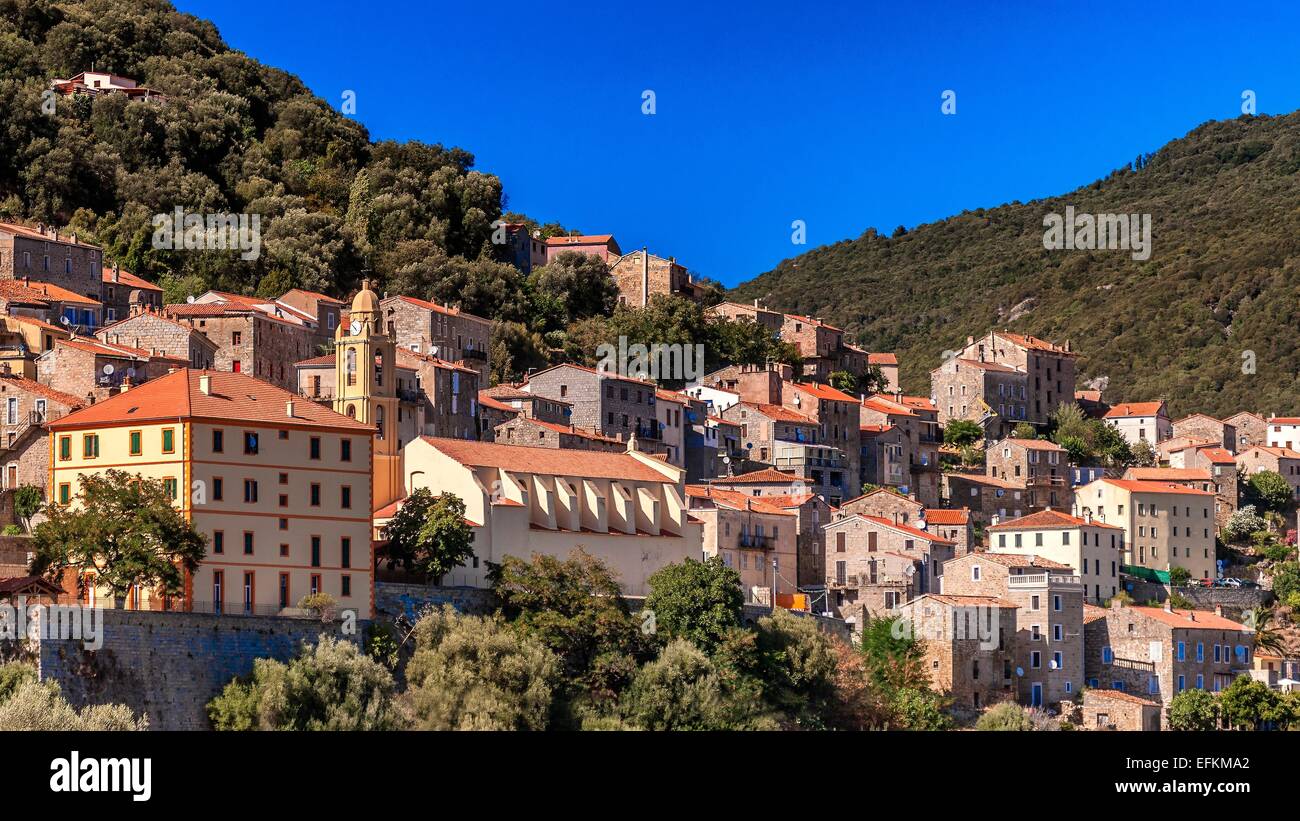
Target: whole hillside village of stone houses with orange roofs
1100, 536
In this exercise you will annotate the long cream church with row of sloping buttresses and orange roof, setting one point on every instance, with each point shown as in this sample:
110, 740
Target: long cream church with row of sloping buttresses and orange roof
627, 510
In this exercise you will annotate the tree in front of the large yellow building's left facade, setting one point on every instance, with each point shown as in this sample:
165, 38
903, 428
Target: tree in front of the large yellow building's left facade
124, 531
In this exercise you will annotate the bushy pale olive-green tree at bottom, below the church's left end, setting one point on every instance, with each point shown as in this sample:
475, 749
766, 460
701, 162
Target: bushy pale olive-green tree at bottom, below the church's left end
475, 674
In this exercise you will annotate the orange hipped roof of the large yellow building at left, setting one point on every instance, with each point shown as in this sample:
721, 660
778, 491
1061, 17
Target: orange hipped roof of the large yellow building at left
233, 397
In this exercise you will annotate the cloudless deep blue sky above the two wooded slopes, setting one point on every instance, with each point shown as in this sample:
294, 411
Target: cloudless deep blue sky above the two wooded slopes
773, 112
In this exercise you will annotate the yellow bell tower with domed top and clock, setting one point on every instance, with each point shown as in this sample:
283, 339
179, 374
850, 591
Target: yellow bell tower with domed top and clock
366, 388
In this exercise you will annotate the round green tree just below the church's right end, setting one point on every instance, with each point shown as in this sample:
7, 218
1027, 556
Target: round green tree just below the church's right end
696, 601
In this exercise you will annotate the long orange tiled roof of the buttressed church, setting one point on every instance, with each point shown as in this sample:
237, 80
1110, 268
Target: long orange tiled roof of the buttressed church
552, 462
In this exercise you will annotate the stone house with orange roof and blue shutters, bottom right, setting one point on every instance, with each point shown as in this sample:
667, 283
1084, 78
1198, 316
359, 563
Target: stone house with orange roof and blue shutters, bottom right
1159, 653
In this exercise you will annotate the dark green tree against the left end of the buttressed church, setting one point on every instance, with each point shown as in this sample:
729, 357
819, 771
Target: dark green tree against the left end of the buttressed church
430, 535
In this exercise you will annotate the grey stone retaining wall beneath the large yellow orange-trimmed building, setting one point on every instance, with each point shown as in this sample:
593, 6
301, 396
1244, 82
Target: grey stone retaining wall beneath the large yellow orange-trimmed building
170, 666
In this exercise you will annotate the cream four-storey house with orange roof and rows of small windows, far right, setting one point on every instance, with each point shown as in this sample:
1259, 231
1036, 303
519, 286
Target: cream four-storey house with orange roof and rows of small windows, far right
1167, 525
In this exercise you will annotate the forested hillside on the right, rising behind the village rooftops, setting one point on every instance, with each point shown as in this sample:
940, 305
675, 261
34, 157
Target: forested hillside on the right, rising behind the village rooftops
1224, 279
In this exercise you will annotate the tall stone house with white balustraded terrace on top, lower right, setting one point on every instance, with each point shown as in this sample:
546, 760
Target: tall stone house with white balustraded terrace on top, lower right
1048, 641
